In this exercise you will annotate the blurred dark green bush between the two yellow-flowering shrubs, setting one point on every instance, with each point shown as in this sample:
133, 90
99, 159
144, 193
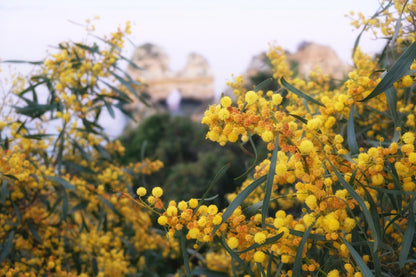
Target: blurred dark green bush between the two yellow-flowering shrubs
190, 161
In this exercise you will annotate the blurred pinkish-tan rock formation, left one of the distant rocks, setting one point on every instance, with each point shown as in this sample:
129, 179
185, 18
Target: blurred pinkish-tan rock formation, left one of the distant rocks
194, 83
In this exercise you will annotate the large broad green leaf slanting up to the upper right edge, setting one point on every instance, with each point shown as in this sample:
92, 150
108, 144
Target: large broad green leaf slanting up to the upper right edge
398, 70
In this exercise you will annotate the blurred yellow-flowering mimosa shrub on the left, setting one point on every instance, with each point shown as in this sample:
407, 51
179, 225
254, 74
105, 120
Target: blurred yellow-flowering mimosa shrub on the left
63, 204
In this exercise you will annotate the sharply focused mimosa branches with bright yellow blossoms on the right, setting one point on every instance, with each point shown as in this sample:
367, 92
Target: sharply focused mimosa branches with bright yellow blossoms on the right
320, 187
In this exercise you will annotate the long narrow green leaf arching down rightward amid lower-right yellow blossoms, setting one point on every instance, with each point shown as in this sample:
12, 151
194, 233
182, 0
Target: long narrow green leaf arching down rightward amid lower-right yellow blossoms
357, 197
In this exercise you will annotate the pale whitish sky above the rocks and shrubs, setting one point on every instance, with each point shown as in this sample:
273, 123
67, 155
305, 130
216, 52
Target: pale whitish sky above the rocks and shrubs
227, 33
